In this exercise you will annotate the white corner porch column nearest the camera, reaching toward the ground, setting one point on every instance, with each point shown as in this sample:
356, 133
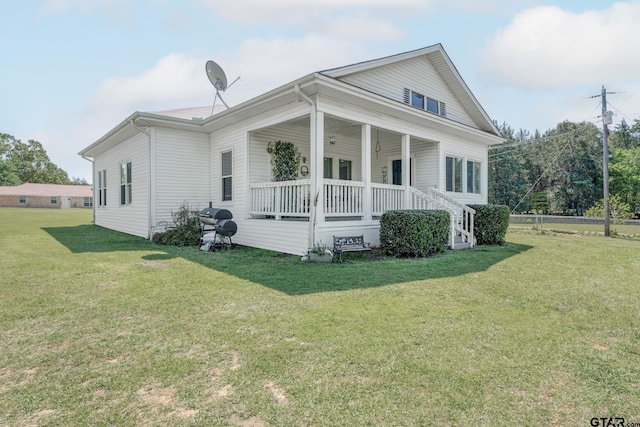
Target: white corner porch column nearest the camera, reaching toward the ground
317, 173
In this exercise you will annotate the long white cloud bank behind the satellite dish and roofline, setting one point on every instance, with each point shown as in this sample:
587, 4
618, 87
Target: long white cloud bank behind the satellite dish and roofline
179, 80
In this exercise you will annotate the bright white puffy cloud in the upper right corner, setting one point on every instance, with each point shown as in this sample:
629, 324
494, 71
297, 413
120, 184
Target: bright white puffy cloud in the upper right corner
547, 47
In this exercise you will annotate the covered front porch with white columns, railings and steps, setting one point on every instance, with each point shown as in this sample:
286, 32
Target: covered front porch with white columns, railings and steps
347, 175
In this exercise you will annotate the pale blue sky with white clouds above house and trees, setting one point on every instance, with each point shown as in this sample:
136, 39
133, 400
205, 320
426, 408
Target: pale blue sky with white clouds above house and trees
73, 69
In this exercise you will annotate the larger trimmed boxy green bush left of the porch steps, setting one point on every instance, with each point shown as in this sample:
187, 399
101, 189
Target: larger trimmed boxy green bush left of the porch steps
414, 233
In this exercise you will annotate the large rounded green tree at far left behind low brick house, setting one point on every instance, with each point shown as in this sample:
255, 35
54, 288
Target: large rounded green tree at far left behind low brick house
31, 162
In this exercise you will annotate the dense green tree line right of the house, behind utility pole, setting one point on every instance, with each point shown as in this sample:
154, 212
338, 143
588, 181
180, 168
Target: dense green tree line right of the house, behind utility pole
560, 171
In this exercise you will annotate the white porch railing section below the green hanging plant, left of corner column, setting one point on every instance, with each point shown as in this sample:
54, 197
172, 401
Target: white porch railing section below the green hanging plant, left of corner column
279, 199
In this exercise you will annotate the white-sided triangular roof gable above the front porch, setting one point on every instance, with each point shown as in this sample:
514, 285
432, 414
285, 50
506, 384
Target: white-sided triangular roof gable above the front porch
428, 71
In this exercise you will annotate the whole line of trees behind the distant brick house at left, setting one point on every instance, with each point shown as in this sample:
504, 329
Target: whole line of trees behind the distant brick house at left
22, 162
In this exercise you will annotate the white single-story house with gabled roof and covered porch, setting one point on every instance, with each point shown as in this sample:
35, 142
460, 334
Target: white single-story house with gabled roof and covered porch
401, 132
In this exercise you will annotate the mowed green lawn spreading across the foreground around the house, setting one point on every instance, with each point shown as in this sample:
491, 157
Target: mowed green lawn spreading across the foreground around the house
102, 328
